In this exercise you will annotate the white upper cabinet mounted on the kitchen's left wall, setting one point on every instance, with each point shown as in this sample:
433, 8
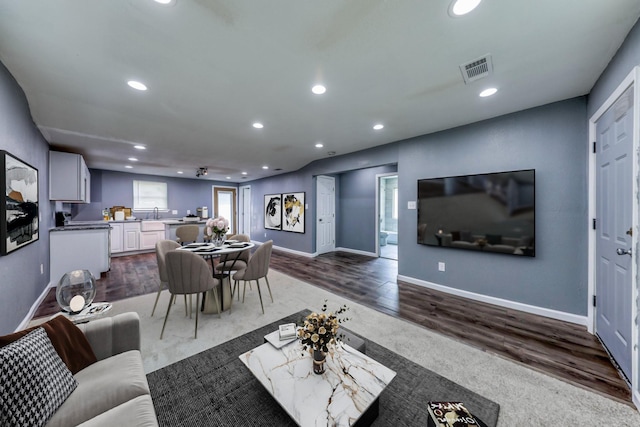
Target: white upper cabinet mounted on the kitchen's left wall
69, 178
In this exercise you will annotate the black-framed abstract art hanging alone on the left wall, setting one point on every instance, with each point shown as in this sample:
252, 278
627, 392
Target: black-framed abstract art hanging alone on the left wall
19, 224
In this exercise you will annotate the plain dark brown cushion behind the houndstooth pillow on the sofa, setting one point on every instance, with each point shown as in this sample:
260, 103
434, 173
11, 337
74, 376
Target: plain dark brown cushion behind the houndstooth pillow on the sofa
69, 341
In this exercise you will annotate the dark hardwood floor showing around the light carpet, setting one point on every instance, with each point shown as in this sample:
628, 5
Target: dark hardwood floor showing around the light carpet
563, 350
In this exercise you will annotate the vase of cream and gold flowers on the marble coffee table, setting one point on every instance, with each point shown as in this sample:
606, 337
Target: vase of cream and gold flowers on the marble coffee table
319, 334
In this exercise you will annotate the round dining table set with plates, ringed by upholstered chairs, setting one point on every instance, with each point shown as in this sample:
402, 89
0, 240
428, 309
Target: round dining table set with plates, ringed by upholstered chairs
210, 251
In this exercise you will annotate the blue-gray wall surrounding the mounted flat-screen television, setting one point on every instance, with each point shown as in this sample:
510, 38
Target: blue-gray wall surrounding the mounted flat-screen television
552, 140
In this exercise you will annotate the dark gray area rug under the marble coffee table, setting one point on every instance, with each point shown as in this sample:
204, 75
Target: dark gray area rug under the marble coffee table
215, 388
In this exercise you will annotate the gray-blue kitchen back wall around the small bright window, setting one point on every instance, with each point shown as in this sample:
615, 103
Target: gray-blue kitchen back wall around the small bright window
110, 188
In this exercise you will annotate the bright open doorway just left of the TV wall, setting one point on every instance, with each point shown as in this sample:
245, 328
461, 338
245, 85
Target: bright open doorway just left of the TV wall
387, 215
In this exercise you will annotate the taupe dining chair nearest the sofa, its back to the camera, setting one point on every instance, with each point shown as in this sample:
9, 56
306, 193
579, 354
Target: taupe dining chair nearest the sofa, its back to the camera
189, 274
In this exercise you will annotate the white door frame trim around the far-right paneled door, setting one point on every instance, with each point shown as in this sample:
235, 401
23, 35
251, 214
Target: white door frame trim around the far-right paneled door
633, 78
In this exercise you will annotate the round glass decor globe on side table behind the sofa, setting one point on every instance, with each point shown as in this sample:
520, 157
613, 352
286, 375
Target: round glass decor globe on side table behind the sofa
76, 290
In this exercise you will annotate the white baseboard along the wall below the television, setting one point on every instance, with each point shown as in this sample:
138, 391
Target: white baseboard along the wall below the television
540, 311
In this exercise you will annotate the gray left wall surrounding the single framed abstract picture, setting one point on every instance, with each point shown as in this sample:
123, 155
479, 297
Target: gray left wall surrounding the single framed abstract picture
21, 281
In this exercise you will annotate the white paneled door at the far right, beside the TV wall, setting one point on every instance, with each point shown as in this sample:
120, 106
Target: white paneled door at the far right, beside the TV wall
614, 199
